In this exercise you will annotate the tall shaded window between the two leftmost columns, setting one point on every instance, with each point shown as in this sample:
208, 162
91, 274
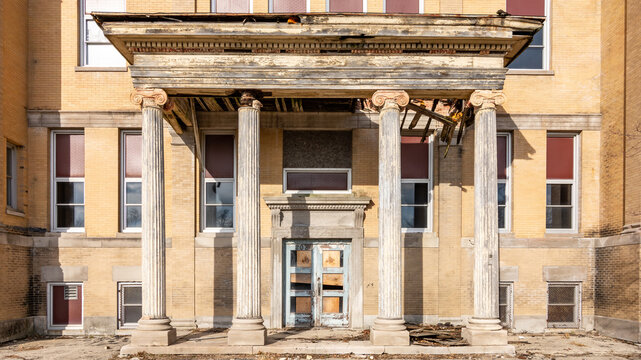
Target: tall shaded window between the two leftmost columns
219, 185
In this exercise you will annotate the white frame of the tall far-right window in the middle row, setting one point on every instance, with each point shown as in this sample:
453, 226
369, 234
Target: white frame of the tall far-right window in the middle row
574, 182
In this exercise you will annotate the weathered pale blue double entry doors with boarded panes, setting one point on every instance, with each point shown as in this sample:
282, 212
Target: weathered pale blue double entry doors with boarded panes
316, 283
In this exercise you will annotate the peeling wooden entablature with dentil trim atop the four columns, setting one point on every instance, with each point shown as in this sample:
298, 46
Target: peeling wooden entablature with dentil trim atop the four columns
318, 55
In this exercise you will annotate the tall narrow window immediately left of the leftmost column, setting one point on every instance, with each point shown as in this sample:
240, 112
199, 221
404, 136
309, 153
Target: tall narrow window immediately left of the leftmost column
131, 181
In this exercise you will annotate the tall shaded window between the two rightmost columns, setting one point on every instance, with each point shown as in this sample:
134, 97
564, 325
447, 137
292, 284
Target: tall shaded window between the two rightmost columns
416, 184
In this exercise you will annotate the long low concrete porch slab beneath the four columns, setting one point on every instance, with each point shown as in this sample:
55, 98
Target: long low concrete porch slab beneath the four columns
219, 346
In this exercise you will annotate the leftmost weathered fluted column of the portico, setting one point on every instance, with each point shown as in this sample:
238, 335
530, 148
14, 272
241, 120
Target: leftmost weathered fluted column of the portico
153, 327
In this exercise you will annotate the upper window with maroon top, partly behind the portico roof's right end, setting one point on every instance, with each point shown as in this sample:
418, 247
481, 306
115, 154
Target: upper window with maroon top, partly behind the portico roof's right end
536, 56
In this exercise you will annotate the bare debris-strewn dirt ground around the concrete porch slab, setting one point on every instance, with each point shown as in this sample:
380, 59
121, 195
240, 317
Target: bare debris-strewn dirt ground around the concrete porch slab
567, 346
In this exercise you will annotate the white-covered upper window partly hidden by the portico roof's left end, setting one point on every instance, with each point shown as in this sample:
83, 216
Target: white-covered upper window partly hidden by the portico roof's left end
96, 50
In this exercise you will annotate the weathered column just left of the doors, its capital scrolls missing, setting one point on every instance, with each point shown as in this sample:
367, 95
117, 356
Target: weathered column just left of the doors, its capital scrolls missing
247, 327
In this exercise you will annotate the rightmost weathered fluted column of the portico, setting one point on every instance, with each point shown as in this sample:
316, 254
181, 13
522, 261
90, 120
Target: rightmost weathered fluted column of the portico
484, 327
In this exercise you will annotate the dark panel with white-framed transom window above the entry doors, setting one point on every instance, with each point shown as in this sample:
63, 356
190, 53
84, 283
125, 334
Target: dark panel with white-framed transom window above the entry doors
317, 162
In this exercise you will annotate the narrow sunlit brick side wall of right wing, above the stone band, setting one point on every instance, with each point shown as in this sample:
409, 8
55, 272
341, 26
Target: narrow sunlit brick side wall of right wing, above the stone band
613, 112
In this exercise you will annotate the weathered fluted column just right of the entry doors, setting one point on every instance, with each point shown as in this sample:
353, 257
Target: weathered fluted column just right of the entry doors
389, 326
